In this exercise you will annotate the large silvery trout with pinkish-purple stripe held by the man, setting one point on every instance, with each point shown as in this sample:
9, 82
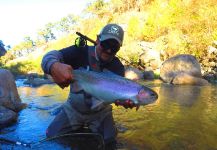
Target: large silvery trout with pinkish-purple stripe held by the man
112, 88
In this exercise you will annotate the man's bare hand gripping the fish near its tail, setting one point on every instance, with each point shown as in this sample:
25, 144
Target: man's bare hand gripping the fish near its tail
62, 74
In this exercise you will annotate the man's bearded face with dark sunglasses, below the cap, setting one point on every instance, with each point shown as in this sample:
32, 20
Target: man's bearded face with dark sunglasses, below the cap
106, 50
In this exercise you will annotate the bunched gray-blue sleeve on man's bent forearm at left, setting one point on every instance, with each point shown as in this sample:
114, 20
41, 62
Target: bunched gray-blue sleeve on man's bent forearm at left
49, 59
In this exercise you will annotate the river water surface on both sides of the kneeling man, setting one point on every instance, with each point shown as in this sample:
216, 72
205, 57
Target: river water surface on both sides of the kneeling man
183, 118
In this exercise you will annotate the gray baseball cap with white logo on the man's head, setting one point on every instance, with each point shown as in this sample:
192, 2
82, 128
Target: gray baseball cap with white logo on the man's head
112, 31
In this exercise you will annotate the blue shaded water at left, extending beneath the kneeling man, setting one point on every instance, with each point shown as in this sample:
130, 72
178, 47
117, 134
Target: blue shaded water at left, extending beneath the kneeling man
43, 104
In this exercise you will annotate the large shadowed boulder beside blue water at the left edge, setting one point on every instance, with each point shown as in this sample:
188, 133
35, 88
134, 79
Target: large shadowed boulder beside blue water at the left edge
10, 101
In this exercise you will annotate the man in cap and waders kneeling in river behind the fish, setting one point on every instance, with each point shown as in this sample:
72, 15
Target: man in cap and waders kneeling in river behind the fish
81, 109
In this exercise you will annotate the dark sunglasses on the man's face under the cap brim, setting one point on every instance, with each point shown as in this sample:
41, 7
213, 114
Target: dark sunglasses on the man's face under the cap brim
110, 44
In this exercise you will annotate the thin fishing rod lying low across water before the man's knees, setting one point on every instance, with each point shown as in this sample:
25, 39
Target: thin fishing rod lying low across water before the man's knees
101, 146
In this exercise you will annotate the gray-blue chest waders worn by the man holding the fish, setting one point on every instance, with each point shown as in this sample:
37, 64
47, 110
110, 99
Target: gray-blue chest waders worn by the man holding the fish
77, 112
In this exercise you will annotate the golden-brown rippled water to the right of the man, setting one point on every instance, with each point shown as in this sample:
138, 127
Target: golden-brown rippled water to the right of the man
184, 117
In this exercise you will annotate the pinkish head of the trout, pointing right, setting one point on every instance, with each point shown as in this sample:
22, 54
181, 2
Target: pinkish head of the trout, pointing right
146, 96
